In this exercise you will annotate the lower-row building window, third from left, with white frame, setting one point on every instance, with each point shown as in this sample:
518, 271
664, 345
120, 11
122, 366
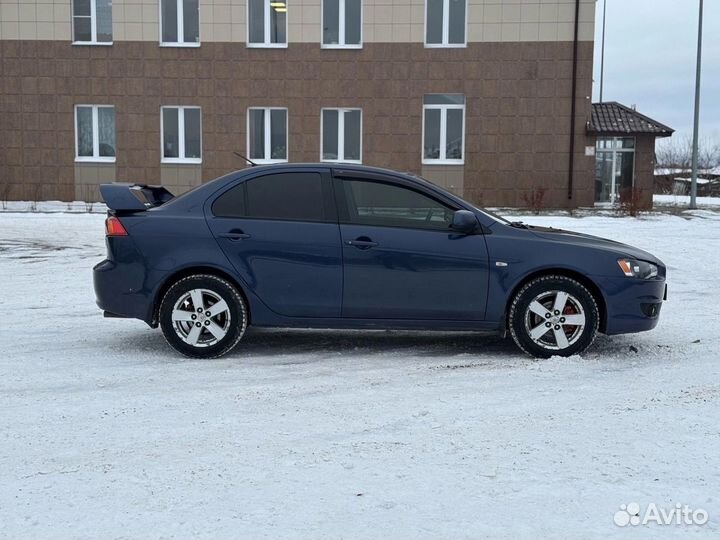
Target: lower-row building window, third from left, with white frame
267, 134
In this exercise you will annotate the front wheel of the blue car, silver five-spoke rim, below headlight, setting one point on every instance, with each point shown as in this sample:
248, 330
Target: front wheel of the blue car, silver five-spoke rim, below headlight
553, 315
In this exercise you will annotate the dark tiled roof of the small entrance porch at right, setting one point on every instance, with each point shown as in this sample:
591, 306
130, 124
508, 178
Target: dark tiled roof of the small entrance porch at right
612, 118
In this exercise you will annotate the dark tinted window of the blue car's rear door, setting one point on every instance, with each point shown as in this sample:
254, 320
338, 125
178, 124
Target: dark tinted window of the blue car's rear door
291, 196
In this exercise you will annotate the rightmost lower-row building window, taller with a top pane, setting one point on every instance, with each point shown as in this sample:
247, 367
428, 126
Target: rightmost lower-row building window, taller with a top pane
443, 128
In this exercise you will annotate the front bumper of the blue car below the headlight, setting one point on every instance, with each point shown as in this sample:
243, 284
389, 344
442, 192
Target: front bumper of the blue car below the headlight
633, 305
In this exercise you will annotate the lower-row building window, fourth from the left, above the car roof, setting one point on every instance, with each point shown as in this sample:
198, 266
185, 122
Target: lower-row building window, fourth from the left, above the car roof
341, 134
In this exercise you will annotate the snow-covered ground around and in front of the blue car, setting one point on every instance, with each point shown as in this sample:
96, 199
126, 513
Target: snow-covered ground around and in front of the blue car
106, 433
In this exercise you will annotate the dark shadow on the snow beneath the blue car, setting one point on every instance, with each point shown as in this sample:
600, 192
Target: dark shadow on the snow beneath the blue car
451, 350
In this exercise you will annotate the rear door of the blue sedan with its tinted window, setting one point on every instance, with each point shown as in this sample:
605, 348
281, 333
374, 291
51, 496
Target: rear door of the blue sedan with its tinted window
280, 231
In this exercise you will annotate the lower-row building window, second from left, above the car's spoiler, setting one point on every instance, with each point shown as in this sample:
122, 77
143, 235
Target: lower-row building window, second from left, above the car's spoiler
181, 129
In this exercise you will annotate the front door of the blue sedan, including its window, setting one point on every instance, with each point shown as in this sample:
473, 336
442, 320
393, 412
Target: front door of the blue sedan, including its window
402, 261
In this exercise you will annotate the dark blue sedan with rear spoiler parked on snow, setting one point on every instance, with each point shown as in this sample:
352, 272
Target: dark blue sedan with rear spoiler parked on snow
344, 246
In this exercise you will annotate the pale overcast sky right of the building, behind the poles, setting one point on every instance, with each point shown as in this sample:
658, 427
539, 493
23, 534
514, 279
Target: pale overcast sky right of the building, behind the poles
650, 54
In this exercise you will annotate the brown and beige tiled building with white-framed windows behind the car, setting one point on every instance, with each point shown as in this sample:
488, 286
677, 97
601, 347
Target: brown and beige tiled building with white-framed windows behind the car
475, 95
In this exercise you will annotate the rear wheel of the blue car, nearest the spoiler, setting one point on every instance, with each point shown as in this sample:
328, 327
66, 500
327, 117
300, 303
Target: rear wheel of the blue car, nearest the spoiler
203, 316
